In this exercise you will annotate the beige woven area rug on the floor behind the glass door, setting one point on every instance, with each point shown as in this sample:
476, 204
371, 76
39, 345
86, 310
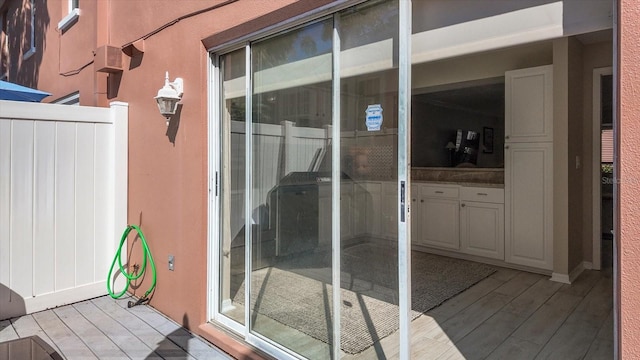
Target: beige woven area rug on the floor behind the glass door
301, 296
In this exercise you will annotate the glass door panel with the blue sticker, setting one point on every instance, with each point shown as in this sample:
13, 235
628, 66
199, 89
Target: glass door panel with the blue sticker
369, 195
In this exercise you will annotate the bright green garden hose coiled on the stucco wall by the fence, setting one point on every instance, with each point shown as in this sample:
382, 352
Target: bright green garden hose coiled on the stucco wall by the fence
145, 253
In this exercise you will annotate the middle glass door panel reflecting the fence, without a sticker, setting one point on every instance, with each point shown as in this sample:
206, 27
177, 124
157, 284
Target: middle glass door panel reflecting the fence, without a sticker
291, 269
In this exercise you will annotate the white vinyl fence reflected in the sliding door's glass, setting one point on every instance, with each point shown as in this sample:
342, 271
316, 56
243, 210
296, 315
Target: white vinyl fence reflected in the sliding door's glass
284, 148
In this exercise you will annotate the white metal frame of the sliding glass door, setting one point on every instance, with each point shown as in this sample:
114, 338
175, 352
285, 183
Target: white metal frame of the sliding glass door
215, 161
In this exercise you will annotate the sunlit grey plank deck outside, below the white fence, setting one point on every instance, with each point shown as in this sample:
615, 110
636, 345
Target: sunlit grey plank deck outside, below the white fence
103, 328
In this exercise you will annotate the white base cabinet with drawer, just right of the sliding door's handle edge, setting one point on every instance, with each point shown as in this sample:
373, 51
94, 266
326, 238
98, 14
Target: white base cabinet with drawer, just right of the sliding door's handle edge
439, 217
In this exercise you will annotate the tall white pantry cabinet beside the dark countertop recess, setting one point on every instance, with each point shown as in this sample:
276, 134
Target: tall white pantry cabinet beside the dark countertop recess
528, 167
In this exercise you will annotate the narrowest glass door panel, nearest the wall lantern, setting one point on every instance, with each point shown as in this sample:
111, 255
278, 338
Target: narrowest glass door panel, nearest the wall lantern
232, 186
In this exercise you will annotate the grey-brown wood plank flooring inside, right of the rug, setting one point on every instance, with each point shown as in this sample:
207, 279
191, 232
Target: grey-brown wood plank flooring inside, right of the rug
515, 315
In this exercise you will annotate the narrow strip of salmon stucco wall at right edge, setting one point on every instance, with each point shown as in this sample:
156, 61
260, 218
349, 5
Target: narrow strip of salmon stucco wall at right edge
629, 178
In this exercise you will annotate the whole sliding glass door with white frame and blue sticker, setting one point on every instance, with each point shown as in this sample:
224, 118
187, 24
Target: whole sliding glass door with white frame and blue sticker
311, 237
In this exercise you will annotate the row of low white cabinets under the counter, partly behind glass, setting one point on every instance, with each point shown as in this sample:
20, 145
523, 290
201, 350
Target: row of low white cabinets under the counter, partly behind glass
468, 220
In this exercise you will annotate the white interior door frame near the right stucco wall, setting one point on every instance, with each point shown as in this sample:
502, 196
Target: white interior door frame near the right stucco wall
596, 192
